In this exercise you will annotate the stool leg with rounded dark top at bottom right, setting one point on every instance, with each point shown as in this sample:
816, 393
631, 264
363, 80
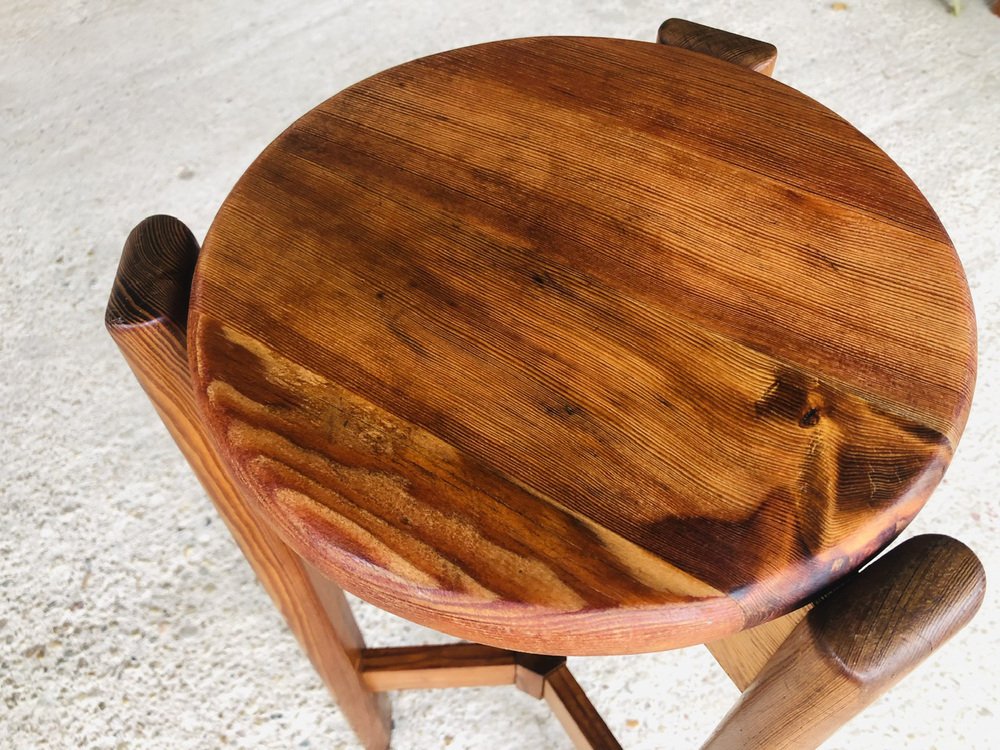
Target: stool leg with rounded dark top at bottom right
855, 644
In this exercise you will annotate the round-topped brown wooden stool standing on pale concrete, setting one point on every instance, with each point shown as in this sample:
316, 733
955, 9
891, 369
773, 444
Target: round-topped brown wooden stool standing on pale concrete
576, 346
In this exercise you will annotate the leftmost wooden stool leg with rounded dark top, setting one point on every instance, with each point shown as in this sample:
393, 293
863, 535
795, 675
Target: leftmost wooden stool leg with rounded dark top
147, 316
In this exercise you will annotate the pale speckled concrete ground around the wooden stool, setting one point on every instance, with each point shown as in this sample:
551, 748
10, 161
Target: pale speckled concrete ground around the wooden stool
127, 616
